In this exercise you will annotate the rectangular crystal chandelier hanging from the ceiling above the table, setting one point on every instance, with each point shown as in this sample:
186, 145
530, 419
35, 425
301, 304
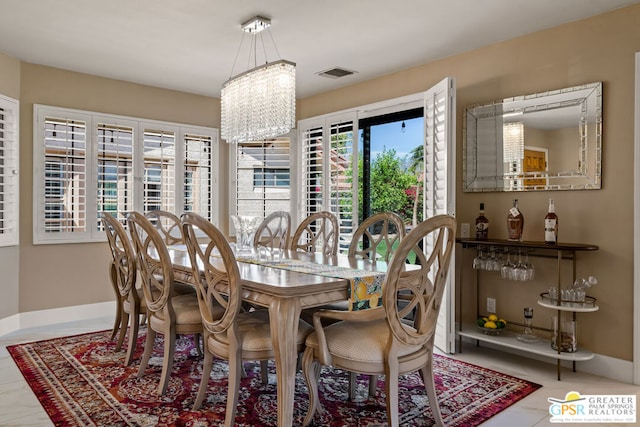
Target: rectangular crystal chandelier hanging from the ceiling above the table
259, 103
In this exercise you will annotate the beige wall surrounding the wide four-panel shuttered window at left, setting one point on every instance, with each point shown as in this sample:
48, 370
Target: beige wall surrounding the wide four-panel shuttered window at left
65, 275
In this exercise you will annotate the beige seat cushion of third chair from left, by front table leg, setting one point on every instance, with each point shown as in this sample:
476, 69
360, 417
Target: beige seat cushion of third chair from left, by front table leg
255, 331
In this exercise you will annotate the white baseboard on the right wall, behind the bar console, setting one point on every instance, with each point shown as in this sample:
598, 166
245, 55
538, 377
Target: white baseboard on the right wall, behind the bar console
601, 365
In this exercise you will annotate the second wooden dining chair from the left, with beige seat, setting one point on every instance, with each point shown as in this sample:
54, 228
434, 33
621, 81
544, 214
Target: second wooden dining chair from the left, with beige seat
169, 313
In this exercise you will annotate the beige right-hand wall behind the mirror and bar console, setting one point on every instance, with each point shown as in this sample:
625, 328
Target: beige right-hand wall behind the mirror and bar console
597, 49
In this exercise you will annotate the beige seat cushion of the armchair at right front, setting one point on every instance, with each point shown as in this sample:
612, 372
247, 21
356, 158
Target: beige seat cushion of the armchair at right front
359, 341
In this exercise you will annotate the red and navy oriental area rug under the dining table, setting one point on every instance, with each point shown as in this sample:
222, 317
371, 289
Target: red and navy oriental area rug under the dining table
80, 381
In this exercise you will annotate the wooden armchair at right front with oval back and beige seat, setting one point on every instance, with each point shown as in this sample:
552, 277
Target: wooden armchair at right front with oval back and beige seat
377, 341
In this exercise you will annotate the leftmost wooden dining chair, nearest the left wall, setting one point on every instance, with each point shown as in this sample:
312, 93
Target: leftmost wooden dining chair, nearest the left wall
131, 305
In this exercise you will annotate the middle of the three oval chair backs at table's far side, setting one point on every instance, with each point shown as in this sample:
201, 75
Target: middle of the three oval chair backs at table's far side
319, 232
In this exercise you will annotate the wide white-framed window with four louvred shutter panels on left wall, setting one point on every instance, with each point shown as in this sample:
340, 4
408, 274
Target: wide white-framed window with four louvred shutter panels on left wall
91, 163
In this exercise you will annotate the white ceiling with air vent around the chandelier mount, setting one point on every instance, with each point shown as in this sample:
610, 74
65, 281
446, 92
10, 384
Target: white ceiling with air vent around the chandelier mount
190, 45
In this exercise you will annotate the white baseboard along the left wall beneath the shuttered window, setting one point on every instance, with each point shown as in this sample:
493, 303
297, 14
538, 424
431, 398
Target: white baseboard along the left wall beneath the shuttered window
34, 319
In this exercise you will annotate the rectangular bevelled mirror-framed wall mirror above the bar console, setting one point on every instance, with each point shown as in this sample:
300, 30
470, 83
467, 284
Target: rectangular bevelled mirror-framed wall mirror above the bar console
543, 141
